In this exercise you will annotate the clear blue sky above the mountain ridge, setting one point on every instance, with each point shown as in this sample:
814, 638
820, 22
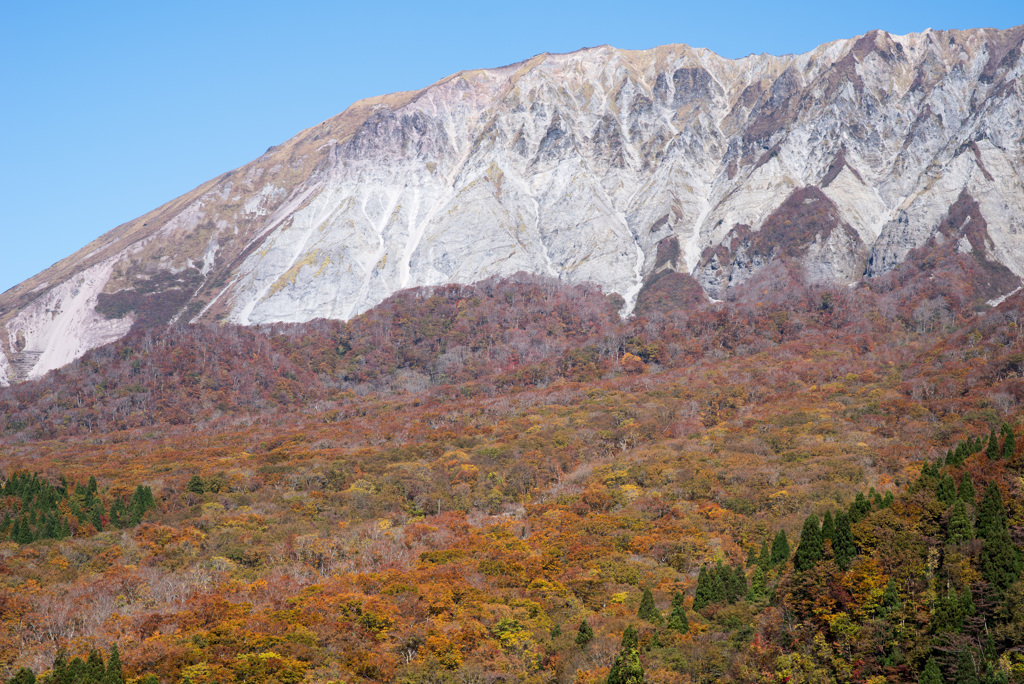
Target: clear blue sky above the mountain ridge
110, 109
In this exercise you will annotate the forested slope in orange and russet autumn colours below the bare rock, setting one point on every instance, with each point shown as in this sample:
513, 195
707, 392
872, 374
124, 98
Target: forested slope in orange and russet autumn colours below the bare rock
447, 487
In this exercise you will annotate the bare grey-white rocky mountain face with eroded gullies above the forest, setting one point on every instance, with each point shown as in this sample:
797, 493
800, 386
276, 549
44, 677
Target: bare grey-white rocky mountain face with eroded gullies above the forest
605, 165
